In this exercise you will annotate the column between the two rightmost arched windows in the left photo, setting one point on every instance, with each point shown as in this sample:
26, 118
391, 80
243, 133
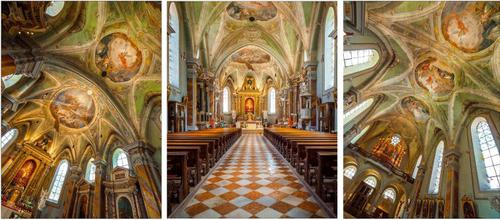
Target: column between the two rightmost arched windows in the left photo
98, 204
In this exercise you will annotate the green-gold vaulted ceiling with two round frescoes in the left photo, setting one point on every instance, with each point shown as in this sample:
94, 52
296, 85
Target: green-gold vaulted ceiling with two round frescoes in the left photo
101, 77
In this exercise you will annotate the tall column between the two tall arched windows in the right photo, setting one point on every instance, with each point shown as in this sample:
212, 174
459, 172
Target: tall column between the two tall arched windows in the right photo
451, 198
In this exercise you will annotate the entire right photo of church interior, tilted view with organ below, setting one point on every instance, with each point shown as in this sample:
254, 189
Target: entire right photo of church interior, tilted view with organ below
421, 110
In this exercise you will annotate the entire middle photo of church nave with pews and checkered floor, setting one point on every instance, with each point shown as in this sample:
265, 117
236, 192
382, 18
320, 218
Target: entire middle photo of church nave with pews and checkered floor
251, 116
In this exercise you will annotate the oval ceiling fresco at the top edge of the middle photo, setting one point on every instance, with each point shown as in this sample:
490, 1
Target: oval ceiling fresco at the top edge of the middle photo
260, 11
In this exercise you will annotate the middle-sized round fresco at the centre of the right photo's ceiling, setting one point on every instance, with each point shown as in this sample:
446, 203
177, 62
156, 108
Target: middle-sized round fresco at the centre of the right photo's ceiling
433, 77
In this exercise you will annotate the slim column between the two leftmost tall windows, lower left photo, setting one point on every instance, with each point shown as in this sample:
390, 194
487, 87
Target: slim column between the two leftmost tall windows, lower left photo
75, 174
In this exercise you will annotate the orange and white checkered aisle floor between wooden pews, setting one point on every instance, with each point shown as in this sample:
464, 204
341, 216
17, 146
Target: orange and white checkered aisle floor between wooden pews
252, 181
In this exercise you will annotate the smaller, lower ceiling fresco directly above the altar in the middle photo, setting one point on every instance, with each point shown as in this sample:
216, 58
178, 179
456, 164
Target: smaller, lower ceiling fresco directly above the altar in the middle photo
249, 56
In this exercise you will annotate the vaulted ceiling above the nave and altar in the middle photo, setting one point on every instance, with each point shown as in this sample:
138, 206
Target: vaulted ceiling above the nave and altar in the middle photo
269, 37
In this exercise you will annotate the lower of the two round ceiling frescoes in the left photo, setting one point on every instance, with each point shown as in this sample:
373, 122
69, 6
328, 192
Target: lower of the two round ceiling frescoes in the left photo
73, 108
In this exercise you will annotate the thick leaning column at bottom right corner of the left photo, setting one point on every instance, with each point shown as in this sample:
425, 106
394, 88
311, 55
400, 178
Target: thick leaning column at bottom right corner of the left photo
147, 176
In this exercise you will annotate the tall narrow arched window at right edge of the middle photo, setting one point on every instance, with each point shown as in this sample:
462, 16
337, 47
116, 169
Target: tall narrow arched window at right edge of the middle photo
329, 48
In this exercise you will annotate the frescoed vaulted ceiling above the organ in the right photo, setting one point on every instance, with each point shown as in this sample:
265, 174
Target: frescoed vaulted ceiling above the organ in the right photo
441, 62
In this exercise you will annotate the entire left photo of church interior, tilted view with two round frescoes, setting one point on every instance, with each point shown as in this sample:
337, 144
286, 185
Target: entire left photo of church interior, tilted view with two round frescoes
81, 107
